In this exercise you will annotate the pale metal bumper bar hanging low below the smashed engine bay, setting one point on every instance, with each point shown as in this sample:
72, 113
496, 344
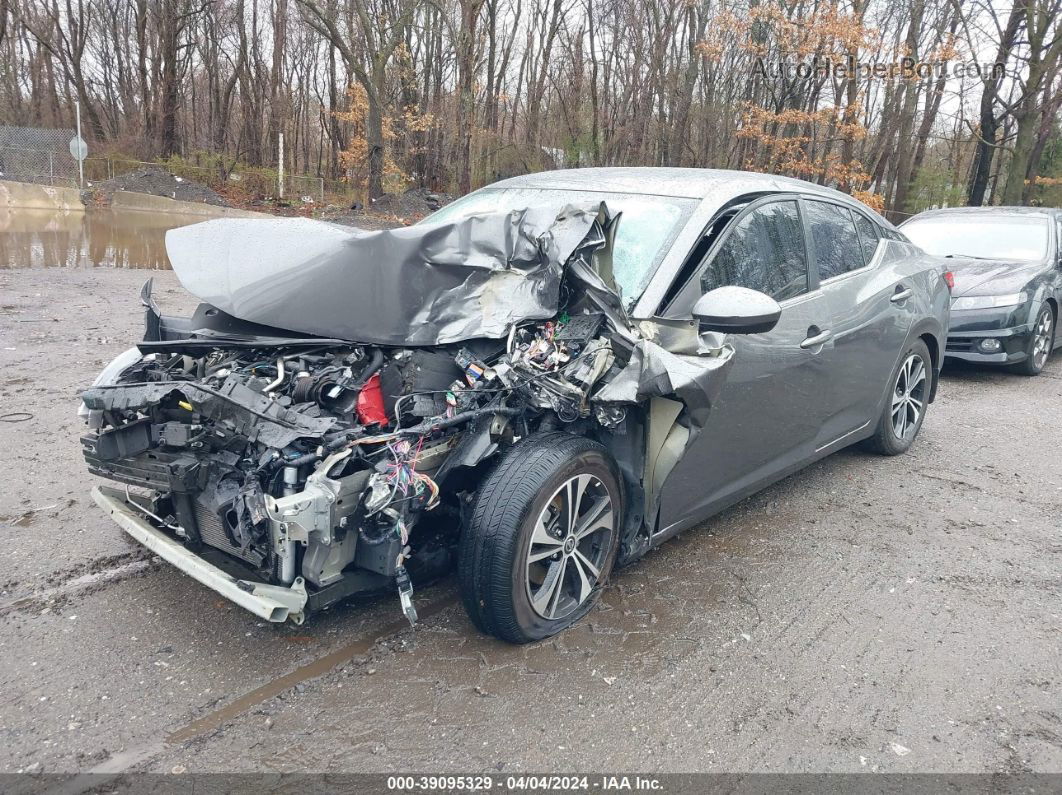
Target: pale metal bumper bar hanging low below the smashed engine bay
271, 602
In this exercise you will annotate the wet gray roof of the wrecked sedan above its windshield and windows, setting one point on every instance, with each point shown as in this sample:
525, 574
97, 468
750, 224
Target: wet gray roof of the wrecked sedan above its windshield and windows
667, 182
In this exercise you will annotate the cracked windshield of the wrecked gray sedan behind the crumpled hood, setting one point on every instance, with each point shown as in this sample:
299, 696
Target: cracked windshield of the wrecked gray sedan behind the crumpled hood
646, 231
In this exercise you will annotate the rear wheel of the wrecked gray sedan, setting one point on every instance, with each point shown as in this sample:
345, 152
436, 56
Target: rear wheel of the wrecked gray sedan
905, 403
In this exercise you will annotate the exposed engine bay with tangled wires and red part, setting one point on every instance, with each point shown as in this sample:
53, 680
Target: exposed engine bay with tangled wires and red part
306, 460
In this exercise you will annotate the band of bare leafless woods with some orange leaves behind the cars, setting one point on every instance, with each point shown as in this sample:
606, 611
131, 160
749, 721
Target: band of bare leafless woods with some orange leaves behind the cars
449, 95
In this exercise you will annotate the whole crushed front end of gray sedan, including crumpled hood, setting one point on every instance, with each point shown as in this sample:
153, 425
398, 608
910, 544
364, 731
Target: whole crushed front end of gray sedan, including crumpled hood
288, 470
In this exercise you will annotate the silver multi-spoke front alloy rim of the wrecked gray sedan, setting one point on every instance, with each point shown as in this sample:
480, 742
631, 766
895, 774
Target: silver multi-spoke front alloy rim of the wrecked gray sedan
570, 544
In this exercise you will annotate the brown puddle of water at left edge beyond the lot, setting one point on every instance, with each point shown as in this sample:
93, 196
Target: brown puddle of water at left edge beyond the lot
97, 238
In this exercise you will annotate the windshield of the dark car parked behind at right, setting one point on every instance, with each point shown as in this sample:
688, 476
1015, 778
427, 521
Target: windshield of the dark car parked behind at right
982, 237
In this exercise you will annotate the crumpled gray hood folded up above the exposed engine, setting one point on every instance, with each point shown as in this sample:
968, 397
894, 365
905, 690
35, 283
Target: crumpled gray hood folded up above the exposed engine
422, 285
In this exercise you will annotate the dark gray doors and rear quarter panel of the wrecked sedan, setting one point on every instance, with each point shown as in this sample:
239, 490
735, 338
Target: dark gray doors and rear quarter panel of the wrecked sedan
782, 406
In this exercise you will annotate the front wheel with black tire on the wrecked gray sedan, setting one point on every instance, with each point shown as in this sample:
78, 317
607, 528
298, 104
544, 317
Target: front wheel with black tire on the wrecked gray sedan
495, 576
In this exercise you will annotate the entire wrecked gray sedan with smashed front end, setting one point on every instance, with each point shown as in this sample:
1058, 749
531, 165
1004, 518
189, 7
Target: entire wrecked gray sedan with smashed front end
540, 383
